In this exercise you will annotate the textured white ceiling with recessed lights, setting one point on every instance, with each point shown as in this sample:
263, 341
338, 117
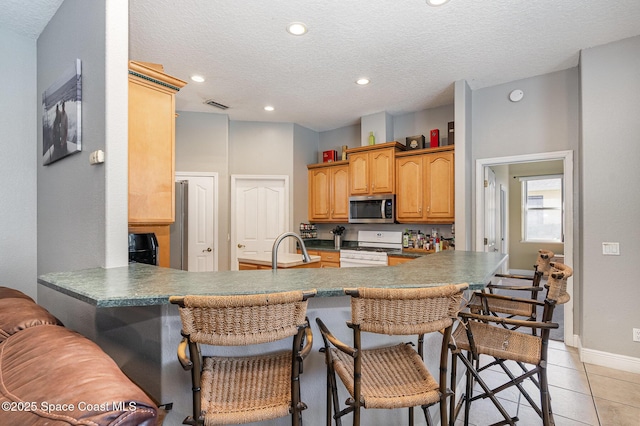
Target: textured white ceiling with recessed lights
413, 53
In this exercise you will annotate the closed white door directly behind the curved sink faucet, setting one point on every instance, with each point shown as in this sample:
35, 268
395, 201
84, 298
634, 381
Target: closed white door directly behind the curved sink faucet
259, 213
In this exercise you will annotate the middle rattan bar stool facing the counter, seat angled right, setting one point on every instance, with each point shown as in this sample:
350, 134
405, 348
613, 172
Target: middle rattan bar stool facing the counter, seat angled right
391, 376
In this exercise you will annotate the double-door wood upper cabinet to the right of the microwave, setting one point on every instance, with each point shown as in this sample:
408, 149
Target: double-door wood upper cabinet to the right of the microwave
425, 189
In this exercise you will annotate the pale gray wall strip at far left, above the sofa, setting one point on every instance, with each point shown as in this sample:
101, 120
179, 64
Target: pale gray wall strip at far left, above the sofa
19, 121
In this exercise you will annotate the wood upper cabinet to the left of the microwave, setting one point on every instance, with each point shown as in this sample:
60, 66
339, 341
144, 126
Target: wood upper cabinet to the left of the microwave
329, 192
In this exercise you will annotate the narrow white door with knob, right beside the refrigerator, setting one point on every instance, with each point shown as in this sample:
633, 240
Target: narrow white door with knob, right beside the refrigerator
202, 228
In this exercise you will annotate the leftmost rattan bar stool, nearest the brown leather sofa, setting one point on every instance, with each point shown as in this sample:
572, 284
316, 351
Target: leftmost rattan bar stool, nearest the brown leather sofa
244, 389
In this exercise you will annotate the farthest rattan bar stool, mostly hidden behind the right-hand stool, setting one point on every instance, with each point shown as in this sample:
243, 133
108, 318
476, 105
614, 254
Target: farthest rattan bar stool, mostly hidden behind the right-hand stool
510, 307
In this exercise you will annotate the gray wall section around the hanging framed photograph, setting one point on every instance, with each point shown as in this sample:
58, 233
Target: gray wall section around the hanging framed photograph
71, 192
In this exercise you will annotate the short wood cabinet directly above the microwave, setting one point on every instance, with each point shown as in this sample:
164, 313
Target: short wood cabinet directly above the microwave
371, 169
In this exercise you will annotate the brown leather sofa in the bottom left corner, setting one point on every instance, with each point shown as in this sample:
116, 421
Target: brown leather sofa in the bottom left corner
50, 375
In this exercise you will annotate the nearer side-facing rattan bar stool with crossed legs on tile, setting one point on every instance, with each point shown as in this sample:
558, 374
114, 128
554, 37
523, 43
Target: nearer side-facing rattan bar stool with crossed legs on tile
479, 335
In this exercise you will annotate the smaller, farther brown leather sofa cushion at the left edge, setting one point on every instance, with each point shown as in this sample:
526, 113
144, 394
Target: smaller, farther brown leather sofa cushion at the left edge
18, 313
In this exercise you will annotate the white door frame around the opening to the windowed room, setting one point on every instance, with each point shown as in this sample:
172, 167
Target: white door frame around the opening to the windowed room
570, 338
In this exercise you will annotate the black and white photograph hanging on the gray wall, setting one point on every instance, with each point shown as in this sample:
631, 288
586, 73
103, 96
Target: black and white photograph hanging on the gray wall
62, 116
